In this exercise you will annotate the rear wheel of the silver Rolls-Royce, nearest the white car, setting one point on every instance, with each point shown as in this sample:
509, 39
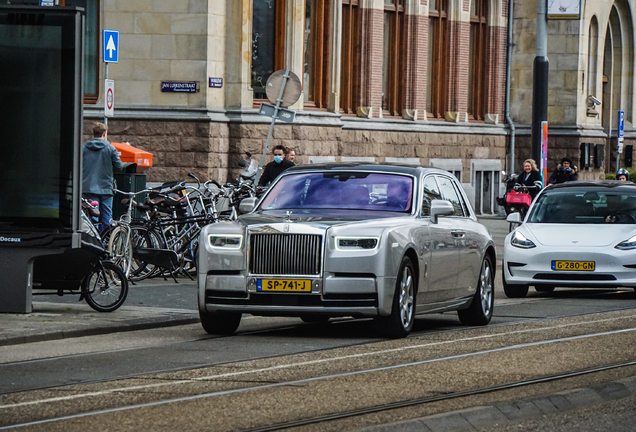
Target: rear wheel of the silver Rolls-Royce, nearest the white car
480, 310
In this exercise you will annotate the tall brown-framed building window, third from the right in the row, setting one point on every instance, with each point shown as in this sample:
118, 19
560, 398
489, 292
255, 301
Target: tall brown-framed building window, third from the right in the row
393, 57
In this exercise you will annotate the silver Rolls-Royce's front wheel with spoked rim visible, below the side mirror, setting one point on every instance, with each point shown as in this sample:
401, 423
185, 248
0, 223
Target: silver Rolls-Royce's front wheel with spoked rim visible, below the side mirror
400, 323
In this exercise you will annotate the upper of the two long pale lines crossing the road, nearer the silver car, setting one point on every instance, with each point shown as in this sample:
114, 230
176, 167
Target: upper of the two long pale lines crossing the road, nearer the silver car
294, 365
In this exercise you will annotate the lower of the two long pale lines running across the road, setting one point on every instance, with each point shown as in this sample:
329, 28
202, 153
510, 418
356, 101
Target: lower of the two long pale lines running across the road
308, 380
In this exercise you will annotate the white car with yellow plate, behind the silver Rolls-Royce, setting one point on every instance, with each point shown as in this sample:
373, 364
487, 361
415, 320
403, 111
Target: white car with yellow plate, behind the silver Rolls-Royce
577, 234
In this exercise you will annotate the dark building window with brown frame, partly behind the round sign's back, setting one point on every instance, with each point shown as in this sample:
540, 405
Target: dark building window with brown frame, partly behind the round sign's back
268, 41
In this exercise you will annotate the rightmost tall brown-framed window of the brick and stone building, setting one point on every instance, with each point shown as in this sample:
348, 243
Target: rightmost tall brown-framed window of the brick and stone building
477, 55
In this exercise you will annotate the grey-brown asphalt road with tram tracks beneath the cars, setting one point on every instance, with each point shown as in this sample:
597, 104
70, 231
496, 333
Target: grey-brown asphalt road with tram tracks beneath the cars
278, 370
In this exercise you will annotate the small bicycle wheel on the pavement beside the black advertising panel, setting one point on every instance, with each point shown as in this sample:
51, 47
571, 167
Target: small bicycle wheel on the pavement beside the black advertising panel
105, 288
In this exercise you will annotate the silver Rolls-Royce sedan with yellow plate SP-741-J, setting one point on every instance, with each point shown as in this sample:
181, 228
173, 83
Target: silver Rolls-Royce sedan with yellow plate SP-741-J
361, 240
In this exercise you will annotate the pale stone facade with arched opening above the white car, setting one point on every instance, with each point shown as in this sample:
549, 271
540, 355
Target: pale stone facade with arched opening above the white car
590, 58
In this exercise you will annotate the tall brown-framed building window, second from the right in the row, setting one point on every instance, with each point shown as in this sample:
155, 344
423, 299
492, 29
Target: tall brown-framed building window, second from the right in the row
437, 58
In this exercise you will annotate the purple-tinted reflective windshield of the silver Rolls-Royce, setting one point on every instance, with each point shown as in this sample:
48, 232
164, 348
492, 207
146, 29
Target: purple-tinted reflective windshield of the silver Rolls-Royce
341, 190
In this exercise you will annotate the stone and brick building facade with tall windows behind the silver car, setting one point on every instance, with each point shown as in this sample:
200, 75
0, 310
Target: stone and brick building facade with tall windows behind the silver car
412, 81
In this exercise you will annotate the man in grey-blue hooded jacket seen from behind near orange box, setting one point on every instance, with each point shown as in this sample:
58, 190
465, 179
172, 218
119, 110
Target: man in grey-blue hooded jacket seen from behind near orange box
100, 158
